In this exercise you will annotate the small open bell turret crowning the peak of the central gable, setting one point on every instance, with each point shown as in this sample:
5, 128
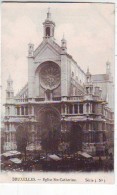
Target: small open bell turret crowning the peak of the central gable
49, 26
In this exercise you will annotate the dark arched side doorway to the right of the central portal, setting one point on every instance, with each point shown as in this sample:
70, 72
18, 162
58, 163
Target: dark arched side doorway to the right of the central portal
76, 137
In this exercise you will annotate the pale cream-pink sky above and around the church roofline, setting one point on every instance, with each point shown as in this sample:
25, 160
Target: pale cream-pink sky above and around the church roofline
87, 27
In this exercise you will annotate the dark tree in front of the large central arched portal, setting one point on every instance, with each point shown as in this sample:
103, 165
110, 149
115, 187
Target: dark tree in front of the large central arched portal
50, 131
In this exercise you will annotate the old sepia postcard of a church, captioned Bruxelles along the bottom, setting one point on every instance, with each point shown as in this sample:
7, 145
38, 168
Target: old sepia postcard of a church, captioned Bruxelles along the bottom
57, 117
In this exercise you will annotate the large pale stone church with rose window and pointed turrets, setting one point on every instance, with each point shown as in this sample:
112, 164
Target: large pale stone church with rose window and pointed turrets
60, 97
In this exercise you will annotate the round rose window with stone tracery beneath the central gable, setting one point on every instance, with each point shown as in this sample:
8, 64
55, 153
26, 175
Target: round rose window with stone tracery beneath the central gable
50, 76
